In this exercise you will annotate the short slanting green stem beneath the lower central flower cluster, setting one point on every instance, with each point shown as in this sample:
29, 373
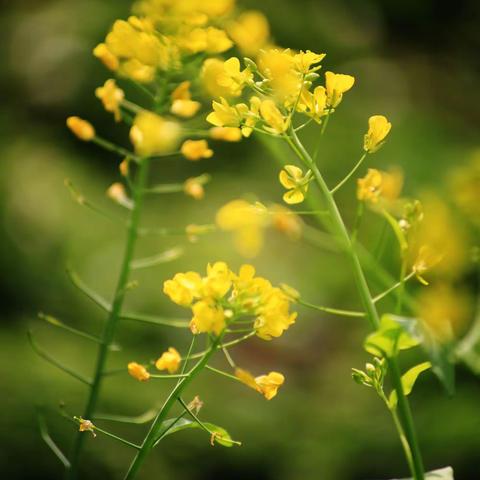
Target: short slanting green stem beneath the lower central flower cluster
155, 430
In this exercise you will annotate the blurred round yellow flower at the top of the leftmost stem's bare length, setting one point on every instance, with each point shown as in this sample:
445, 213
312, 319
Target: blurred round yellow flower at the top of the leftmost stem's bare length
152, 134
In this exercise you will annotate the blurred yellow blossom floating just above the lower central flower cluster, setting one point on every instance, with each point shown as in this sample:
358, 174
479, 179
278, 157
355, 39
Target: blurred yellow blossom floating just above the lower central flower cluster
246, 222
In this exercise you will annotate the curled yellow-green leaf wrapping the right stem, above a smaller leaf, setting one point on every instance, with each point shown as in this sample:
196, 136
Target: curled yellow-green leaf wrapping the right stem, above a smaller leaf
394, 334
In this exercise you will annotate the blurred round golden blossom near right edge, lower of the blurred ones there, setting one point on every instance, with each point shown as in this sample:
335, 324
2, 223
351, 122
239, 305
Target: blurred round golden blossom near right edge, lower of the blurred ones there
444, 311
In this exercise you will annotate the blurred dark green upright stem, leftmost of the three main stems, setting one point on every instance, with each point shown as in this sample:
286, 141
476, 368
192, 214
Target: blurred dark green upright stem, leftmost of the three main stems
114, 316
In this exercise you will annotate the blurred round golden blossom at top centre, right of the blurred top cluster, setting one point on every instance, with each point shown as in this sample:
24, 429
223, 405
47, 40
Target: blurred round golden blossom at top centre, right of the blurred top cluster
250, 31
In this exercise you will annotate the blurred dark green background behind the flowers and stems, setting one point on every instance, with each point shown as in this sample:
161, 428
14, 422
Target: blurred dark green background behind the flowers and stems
414, 61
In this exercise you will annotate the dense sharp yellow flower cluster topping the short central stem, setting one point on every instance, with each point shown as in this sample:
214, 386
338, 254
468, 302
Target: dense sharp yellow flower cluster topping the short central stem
222, 297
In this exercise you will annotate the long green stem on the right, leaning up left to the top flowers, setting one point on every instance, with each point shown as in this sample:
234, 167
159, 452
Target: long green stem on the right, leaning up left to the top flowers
341, 233
